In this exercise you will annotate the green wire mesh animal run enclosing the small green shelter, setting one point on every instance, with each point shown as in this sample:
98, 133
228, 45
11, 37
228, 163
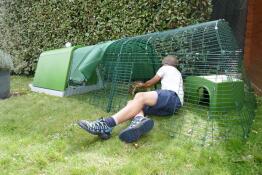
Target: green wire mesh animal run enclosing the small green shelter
219, 103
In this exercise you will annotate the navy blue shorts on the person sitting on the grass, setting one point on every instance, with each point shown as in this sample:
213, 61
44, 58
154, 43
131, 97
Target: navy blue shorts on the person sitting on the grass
167, 104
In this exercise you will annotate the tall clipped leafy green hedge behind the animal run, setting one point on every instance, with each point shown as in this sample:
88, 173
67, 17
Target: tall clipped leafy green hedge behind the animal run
32, 26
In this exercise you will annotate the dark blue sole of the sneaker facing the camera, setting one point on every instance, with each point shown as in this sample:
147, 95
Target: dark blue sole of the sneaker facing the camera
130, 135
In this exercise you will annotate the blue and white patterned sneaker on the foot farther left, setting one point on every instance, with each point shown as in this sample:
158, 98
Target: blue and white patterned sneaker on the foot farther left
98, 127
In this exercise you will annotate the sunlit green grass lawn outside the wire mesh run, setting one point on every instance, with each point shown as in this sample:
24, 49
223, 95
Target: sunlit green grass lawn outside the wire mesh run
38, 135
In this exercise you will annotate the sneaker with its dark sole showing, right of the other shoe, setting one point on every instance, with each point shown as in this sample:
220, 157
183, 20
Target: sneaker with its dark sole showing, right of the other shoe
137, 128
